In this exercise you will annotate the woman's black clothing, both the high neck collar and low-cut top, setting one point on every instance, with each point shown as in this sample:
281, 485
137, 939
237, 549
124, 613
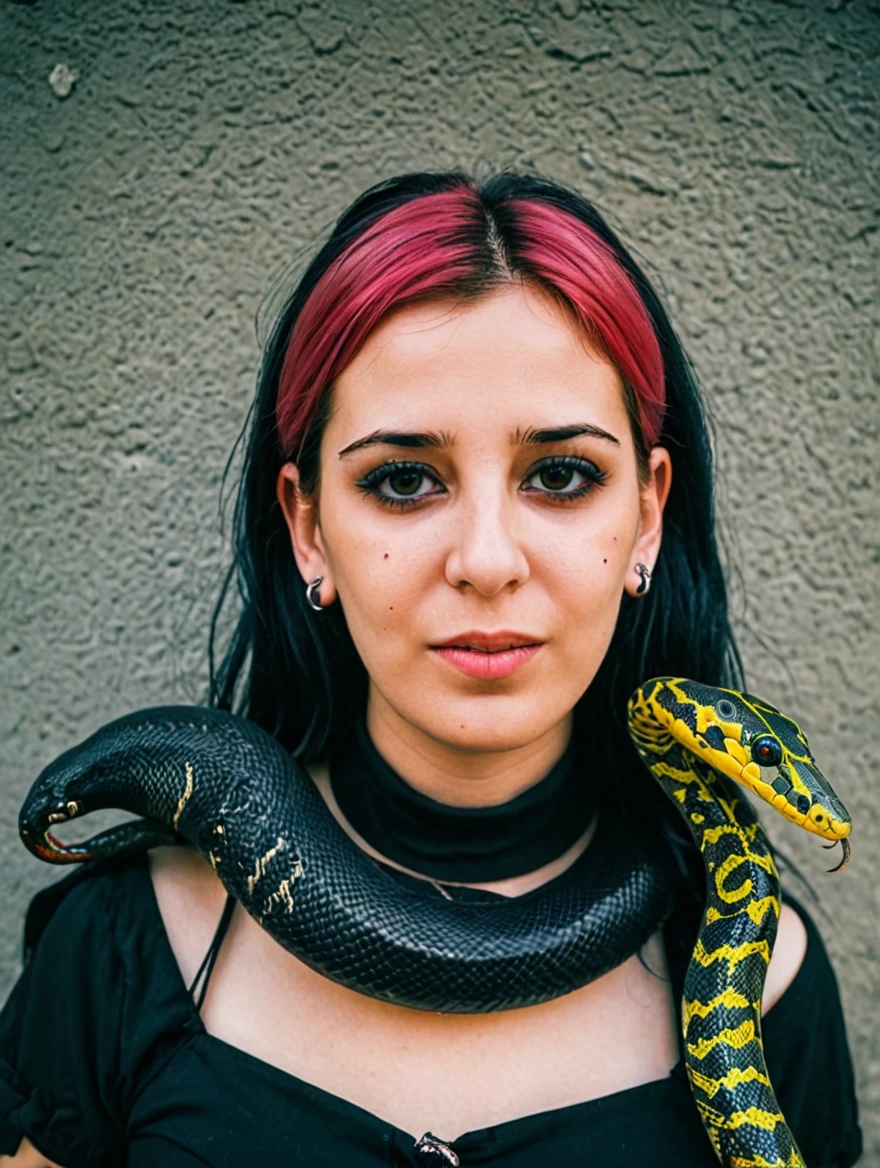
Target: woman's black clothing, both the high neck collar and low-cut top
106, 1062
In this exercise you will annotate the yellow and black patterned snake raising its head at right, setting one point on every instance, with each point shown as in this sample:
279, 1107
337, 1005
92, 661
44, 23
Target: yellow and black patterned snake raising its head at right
699, 742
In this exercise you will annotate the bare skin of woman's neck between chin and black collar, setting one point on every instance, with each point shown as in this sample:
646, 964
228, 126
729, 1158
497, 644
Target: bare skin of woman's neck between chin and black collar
477, 771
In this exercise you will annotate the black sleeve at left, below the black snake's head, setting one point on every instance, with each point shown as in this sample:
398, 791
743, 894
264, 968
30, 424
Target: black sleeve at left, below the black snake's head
98, 991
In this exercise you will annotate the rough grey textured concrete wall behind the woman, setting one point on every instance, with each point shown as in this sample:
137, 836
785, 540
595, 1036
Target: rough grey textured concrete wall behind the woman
207, 143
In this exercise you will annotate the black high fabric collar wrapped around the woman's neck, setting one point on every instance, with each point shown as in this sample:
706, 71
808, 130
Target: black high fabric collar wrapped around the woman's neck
477, 845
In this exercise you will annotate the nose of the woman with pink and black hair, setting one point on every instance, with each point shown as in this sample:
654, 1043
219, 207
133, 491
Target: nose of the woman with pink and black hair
487, 552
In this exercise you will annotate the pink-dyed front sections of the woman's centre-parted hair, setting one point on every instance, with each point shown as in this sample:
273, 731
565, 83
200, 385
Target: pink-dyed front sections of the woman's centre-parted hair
445, 245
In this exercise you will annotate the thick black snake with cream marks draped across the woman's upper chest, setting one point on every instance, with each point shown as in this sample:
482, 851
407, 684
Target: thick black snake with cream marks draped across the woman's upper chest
231, 790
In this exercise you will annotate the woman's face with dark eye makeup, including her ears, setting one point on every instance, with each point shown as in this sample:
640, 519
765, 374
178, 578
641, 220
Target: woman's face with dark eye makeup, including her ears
448, 510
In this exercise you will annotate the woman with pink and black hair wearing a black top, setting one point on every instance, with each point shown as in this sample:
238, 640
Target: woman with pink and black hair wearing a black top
476, 513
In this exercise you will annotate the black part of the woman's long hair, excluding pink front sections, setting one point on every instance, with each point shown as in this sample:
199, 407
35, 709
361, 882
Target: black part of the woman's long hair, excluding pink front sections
302, 679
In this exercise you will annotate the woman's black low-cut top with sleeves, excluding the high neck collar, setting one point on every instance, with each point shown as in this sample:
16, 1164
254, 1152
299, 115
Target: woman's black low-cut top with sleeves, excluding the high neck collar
105, 1061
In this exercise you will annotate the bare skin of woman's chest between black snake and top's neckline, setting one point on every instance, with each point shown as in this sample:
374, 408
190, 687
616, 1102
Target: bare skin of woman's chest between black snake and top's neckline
447, 1074
